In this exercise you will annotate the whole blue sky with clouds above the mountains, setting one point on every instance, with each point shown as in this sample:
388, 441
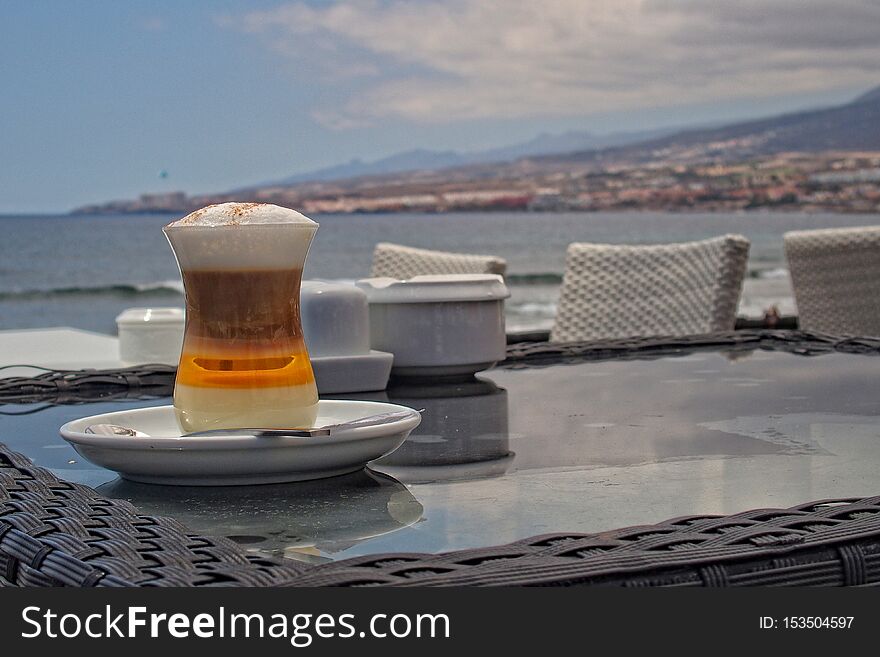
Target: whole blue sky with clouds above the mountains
100, 96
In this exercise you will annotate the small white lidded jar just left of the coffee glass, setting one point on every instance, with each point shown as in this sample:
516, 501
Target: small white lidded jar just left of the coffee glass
150, 335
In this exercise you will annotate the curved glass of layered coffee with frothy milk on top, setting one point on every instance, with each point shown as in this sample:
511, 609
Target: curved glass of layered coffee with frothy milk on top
244, 362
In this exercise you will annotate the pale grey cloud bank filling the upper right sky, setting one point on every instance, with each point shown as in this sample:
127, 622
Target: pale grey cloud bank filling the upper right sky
440, 61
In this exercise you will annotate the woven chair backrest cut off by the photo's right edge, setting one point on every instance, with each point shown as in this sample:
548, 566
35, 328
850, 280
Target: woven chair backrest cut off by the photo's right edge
835, 273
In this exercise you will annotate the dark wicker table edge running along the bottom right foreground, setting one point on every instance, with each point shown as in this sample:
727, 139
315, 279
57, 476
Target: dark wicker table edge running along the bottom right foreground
826, 542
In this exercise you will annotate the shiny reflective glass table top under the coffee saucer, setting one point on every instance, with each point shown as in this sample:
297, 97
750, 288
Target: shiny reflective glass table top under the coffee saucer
581, 447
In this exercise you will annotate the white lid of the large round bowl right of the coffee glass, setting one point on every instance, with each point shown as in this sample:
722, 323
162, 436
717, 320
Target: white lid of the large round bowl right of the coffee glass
437, 288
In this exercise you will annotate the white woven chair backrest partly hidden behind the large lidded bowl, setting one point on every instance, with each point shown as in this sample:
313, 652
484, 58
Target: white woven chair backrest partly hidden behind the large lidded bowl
403, 262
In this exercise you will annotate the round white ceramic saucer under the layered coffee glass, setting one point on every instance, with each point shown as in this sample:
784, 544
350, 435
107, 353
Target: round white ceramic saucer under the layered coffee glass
166, 457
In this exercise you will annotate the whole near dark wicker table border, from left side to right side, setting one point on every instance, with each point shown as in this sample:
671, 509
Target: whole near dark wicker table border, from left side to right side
57, 533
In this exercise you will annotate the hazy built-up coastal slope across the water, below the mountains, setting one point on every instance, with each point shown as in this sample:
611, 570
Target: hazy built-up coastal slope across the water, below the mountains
822, 182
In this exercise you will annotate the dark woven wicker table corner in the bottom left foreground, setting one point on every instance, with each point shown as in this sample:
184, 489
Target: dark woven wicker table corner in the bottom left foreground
55, 533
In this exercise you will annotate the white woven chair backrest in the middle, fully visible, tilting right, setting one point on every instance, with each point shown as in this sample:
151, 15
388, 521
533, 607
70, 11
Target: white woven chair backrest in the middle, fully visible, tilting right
612, 291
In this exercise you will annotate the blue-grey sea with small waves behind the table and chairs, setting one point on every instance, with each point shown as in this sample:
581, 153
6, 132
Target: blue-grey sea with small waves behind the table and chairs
81, 271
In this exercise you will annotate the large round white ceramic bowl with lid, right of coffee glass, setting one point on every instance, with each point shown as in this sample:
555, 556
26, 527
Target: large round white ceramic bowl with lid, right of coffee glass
438, 325
